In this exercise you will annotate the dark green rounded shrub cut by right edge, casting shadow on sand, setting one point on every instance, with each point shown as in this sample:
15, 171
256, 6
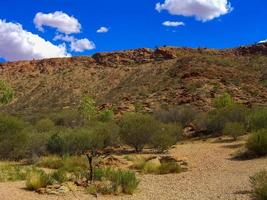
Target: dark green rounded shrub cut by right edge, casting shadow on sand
257, 142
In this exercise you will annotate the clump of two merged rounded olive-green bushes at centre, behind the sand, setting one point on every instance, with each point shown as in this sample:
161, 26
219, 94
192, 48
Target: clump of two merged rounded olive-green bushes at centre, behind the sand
138, 130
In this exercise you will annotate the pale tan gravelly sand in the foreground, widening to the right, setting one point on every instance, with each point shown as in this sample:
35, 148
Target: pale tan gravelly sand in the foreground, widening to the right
213, 175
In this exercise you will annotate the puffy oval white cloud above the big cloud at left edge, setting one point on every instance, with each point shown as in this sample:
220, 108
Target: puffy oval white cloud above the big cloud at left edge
59, 20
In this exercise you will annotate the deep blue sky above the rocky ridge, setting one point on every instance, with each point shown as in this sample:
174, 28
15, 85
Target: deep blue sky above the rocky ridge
136, 23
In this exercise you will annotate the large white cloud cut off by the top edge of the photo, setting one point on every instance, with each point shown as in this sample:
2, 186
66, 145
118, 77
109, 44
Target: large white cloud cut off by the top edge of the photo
203, 10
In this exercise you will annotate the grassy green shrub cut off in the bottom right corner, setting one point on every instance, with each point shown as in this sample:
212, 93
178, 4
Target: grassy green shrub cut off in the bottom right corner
259, 185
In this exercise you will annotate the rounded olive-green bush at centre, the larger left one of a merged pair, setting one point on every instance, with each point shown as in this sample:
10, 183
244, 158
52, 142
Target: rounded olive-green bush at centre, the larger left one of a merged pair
138, 129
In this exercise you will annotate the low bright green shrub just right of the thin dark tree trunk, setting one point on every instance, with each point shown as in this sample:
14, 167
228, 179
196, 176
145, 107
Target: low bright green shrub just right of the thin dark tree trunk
126, 180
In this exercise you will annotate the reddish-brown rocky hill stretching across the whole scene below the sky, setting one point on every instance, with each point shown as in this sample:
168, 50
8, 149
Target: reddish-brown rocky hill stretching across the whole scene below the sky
140, 79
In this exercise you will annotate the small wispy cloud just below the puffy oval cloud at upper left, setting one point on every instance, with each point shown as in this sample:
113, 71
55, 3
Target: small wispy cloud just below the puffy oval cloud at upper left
77, 45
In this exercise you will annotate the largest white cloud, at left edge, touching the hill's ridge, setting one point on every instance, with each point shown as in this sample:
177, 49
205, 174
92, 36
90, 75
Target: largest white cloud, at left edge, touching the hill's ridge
19, 44
